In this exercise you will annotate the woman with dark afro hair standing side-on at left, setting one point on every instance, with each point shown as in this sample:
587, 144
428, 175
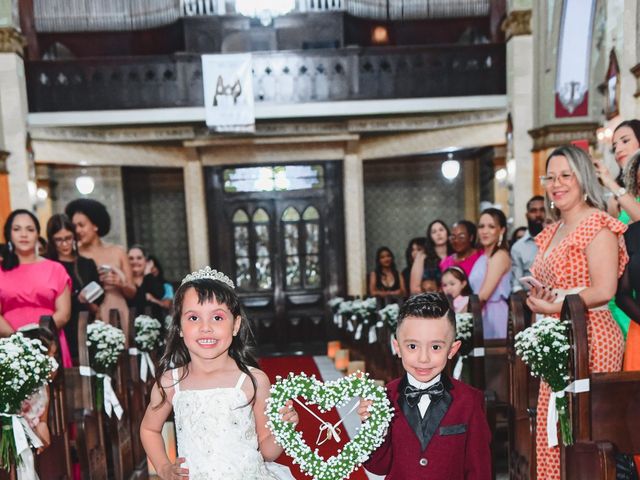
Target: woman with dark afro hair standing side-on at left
92, 222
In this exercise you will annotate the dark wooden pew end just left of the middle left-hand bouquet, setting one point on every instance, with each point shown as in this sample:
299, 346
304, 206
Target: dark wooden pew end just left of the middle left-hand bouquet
80, 404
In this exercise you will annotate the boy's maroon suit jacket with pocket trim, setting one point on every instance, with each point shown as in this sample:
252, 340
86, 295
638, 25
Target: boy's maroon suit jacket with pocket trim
457, 450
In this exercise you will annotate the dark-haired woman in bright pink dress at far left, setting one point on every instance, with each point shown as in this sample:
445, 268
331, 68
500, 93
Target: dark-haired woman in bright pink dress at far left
31, 286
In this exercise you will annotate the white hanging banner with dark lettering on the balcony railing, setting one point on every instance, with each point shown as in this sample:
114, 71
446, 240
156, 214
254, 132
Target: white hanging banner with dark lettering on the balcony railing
228, 92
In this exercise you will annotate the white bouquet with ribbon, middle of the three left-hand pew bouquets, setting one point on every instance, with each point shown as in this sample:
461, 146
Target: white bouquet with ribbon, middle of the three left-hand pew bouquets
106, 344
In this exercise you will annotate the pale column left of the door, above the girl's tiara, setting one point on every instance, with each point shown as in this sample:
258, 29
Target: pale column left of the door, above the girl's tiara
195, 200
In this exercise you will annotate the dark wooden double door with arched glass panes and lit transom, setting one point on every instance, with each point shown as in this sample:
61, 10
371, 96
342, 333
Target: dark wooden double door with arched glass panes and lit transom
283, 247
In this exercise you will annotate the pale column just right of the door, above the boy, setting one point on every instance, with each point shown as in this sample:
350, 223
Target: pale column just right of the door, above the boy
355, 246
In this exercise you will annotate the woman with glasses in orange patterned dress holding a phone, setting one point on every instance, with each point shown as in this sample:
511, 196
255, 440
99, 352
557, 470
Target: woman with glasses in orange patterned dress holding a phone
576, 254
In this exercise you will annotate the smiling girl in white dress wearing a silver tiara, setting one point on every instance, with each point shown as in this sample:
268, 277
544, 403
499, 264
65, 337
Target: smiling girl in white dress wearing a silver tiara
207, 377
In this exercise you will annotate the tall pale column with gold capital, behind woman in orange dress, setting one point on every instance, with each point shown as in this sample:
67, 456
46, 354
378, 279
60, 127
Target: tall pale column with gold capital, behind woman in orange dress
520, 97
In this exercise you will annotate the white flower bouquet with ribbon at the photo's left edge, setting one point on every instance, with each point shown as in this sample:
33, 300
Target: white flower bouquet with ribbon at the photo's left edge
24, 368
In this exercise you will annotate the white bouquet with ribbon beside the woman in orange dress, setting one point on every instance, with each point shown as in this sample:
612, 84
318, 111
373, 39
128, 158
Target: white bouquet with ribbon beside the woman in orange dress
544, 347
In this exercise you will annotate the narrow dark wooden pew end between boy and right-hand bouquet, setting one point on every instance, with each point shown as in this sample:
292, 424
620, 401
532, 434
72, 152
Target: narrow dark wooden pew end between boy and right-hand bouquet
523, 390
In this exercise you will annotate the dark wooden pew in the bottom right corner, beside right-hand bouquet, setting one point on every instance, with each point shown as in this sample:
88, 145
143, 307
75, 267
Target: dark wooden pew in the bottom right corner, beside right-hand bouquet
606, 419
